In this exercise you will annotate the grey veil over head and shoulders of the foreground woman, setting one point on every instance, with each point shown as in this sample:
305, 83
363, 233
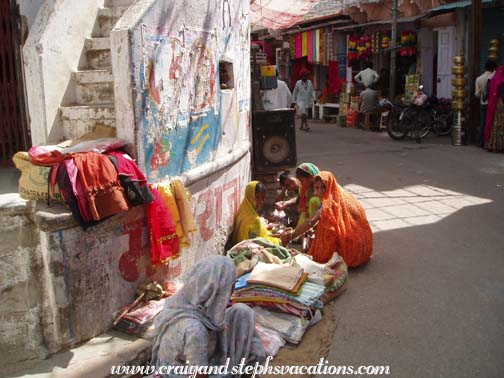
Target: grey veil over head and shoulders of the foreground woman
204, 296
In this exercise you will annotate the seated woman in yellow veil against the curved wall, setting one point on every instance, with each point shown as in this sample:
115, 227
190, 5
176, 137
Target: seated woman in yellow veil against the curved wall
248, 223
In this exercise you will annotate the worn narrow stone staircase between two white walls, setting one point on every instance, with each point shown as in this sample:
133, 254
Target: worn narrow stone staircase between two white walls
90, 95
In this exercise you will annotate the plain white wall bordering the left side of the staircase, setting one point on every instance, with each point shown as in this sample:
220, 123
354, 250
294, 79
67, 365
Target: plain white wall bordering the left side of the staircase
51, 53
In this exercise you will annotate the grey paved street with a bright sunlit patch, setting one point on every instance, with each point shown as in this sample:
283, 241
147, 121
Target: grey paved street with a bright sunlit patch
431, 301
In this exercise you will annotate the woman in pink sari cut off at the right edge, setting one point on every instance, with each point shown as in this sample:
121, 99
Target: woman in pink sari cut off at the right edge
494, 125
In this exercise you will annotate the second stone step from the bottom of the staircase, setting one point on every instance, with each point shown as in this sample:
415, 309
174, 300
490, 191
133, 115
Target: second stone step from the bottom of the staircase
93, 87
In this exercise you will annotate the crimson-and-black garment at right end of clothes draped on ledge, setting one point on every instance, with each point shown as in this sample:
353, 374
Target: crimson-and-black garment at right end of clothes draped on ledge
132, 179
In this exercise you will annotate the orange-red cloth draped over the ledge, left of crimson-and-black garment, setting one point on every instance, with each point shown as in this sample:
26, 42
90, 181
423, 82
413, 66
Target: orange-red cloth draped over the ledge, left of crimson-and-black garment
101, 185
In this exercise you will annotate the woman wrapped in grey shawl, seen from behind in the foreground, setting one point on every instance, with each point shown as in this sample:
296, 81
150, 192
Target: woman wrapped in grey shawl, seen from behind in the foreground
195, 328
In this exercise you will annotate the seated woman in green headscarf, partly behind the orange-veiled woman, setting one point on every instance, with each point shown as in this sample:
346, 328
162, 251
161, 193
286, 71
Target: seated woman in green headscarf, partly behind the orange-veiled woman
309, 203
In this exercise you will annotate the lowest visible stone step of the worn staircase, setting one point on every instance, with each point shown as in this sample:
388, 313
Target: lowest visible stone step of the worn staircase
78, 120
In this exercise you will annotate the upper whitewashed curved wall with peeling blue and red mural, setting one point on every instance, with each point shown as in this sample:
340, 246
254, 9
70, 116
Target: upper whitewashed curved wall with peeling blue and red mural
172, 107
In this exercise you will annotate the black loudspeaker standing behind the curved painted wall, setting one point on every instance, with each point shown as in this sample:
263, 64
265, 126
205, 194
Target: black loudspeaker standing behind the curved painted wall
274, 139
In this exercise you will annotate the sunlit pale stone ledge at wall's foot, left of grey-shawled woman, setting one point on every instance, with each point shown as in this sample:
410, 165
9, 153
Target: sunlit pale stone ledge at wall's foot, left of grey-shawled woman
93, 358
